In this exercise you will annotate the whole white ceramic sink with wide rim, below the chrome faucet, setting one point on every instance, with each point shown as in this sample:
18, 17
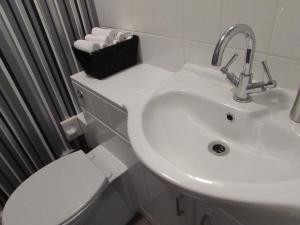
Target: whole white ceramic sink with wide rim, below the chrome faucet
172, 125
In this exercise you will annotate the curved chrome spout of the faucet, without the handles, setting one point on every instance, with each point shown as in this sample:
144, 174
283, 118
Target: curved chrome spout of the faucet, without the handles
226, 38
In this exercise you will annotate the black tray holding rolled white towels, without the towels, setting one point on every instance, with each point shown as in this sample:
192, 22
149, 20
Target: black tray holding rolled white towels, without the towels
107, 61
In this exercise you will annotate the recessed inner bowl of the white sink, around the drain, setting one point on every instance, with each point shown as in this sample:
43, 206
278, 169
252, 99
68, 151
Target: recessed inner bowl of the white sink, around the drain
180, 126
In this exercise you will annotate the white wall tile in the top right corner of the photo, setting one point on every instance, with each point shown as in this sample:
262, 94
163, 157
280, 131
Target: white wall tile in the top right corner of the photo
286, 35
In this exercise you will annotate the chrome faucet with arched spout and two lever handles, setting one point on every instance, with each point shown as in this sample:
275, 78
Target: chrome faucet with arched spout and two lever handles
243, 83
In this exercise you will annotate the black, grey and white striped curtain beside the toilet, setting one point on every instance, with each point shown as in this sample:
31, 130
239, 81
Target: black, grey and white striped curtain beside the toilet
35, 88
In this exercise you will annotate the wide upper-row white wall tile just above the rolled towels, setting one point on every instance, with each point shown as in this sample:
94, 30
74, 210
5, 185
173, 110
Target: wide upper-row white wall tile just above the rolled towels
155, 17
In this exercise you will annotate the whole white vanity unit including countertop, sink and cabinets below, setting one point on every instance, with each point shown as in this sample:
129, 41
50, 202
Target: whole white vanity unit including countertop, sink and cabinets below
187, 187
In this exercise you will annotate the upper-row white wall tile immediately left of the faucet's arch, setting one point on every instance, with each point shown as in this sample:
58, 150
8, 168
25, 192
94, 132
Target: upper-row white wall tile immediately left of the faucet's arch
202, 20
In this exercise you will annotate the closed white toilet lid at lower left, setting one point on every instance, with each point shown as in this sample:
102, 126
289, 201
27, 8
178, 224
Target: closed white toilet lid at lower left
56, 193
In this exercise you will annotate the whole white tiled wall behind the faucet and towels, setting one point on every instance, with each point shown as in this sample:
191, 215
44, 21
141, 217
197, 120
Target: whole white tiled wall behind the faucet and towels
174, 32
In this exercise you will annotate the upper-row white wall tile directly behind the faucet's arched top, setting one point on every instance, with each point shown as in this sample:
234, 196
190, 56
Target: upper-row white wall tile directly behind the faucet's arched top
256, 13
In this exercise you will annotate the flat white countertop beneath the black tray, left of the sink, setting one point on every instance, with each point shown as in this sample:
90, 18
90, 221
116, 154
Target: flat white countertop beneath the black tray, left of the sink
124, 84
